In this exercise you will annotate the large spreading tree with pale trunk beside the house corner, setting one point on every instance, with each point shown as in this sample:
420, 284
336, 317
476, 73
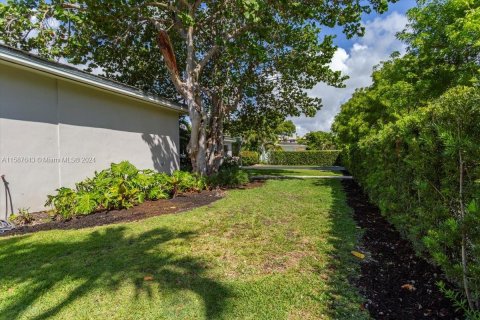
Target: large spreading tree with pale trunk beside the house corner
261, 39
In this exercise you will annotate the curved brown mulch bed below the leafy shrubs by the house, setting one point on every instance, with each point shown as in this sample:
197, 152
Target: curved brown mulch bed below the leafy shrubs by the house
182, 202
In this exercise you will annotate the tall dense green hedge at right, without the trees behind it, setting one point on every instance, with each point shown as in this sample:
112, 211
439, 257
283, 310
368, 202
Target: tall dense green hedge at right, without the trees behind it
423, 171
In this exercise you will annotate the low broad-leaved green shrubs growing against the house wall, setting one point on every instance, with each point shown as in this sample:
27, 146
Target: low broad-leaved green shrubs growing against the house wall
121, 186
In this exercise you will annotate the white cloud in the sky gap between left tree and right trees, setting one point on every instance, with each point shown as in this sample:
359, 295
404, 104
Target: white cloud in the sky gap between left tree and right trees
376, 46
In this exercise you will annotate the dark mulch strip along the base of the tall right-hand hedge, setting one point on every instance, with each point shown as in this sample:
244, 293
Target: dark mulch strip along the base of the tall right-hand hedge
396, 283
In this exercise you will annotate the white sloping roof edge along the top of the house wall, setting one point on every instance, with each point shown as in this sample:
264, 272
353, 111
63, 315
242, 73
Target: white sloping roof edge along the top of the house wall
25, 60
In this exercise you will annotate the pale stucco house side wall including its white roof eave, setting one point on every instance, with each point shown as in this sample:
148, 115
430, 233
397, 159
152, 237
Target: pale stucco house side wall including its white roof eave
58, 125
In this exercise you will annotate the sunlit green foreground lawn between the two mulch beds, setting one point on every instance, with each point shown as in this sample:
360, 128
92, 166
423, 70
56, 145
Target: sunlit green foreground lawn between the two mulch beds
281, 251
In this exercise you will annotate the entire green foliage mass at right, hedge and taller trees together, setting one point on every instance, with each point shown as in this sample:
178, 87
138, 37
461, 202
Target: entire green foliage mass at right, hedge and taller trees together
411, 139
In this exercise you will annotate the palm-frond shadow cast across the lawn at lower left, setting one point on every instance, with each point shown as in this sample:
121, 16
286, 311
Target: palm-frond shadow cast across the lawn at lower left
104, 260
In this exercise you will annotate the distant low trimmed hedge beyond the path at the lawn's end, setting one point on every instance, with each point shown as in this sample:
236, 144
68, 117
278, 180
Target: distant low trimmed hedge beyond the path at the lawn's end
322, 158
